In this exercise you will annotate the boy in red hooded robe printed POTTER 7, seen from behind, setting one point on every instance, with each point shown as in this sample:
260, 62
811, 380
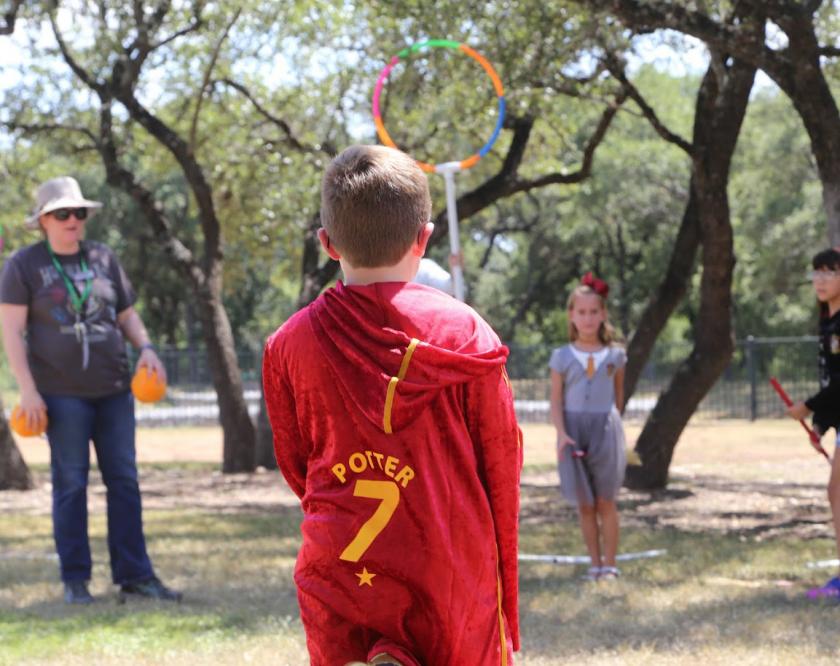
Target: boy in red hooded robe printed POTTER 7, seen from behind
393, 422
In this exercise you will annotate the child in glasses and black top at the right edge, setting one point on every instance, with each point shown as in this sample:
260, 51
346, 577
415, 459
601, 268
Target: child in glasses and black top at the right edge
825, 404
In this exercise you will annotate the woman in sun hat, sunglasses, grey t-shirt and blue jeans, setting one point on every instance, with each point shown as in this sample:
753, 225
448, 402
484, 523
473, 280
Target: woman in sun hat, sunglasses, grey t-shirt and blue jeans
65, 311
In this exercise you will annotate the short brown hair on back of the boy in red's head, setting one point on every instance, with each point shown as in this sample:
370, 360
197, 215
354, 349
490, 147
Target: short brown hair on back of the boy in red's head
374, 201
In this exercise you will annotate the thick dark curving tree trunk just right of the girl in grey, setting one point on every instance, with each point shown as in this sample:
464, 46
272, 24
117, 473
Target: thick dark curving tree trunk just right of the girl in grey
720, 109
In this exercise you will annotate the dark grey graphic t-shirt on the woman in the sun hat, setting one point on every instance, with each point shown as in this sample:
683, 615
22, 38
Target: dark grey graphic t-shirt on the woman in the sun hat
54, 345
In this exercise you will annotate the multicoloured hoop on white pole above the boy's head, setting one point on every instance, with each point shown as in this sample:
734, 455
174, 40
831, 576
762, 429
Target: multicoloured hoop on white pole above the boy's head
446, 169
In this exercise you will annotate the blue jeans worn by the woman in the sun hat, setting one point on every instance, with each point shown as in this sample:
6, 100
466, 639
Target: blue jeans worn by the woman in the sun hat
109, 422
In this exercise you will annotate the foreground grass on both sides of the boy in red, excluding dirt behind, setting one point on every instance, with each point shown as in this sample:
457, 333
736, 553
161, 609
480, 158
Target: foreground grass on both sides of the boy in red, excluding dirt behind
713, 599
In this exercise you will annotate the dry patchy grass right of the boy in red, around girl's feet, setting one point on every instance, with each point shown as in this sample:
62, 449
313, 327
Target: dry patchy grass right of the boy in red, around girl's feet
713, 599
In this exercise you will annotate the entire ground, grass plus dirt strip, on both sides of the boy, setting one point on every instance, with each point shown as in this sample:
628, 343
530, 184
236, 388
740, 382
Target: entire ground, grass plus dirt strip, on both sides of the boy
744, 514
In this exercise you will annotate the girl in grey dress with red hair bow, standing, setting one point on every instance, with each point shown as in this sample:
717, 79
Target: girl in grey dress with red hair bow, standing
586, 395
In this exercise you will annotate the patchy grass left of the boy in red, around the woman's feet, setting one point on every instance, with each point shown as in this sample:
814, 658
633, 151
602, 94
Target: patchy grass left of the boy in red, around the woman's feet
235, 570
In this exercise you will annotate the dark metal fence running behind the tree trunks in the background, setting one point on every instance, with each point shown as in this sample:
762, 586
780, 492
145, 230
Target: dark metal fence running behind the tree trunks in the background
742, 392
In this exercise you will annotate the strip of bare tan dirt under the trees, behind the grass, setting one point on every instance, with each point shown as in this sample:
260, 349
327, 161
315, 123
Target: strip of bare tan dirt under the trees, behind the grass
758, 480
